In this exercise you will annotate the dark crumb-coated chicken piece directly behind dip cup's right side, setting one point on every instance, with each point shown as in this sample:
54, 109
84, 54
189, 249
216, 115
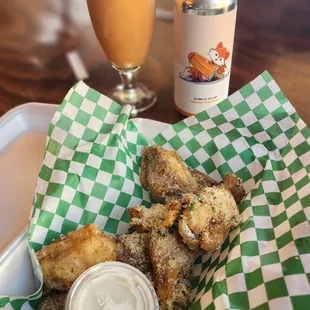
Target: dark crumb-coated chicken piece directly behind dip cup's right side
133, 250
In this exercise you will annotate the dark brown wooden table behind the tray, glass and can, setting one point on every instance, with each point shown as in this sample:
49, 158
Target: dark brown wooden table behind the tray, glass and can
271, 35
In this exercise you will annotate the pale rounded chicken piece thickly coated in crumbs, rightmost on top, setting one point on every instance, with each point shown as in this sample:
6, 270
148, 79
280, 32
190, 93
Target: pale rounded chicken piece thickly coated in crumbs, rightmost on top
207, 218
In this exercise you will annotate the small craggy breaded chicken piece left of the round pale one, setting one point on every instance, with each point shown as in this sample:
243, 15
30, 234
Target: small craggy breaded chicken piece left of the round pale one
158, 216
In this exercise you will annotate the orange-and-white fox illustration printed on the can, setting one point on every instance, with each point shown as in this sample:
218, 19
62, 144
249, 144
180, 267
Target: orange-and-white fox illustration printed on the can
203, 70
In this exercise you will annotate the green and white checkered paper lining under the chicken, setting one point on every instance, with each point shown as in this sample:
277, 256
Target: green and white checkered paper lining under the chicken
91, 174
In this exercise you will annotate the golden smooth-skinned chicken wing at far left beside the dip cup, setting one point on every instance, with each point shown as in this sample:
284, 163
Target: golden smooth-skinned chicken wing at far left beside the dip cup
64, 260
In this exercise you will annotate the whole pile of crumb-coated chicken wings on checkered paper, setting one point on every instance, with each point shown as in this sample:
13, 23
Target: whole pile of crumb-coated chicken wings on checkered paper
191, 215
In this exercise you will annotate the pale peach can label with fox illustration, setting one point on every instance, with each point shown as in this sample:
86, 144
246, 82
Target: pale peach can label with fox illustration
203, 58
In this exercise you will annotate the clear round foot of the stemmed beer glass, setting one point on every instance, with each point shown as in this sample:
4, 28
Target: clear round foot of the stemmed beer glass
139, 97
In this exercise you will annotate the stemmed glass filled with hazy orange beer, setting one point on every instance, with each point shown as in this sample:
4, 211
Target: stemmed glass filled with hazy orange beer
124, 29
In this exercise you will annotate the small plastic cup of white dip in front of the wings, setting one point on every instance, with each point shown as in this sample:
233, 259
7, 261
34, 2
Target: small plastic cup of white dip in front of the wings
112, 286
